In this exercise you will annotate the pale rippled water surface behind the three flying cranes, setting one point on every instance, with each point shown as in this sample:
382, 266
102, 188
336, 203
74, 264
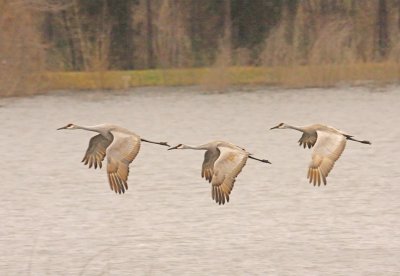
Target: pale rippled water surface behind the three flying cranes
60, 218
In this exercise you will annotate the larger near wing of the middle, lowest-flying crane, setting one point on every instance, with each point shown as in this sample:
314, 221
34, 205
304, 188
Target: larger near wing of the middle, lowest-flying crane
226, 168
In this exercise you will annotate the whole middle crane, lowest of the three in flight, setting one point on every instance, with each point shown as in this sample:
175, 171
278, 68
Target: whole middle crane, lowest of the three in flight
222, 163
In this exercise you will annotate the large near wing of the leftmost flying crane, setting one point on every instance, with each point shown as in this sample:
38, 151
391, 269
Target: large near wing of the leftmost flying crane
123, 149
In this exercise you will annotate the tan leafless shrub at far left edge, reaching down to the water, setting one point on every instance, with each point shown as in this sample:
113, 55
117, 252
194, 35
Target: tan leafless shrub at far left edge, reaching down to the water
21, 50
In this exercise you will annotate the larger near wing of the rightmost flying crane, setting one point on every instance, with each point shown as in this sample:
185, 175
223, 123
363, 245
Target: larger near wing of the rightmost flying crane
326, 151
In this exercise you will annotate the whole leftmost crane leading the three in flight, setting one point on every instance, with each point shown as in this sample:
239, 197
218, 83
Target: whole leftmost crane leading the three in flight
121, 147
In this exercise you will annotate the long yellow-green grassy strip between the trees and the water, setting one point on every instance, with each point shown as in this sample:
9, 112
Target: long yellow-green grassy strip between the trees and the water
216, 78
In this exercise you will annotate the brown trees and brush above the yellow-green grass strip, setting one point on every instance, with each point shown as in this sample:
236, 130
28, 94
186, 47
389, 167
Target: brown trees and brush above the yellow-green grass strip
93, 35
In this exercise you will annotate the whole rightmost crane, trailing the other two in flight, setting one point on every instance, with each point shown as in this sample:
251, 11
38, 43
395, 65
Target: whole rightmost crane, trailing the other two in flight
328, 144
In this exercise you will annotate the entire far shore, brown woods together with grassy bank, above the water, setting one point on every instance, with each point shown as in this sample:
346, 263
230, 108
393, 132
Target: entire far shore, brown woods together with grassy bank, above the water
46, 45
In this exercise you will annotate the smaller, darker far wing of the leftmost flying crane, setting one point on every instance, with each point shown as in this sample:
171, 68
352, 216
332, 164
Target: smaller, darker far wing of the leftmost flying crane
96, 151
